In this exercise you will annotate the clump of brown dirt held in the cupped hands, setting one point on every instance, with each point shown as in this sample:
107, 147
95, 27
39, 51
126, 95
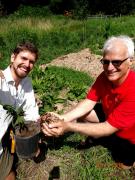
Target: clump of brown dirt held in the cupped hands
50, 118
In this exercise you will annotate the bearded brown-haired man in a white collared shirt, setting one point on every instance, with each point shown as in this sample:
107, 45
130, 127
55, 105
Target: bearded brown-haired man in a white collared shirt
16, 90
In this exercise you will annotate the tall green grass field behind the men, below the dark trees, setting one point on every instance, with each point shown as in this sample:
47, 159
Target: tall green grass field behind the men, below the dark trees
58, 35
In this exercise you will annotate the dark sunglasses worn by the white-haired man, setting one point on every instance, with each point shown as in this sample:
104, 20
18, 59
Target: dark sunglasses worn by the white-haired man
115, 63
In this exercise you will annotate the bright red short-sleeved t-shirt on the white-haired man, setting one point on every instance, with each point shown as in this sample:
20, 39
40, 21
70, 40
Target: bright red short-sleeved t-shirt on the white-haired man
118, 103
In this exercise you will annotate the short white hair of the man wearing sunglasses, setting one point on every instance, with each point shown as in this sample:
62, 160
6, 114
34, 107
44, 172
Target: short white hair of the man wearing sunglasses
123, 38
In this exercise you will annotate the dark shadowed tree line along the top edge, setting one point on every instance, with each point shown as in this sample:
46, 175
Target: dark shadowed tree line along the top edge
80, 8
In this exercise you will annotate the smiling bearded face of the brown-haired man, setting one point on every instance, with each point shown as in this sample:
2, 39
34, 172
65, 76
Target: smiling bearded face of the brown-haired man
21, 64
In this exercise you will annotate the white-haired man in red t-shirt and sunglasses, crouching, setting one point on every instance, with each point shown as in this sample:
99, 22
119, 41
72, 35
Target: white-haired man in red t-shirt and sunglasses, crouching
115, 89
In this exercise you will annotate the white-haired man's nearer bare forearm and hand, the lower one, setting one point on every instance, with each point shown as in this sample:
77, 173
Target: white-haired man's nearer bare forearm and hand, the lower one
90, 129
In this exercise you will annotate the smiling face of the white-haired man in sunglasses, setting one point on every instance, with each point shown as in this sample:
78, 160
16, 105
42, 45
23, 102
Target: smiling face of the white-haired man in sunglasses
117, 74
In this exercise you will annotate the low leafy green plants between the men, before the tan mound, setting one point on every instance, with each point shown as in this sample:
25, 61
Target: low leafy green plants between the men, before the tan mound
50, 82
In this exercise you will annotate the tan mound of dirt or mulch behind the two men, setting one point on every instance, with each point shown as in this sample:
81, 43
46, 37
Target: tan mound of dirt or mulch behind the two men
83, 60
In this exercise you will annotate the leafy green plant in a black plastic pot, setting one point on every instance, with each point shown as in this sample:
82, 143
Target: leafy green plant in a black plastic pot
26, 133
